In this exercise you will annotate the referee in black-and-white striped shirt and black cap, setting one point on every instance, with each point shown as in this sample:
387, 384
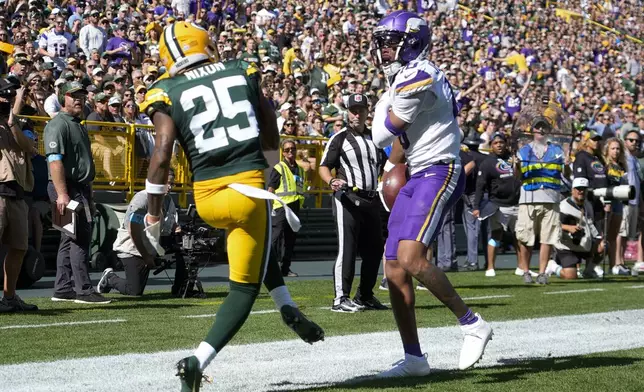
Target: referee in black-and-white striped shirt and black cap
356, 207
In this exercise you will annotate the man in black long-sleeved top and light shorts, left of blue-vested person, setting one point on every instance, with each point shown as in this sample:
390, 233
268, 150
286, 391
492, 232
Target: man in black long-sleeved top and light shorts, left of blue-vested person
496, 177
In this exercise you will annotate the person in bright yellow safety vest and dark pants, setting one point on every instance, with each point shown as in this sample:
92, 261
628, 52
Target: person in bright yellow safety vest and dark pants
287, 182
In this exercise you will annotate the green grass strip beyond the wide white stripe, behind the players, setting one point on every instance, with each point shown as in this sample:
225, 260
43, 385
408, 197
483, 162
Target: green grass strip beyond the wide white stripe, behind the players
154, 322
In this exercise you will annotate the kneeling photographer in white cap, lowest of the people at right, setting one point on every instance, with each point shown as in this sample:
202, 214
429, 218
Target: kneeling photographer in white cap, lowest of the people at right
580, 239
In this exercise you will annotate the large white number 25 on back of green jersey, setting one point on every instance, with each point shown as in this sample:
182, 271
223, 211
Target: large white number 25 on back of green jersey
218, 102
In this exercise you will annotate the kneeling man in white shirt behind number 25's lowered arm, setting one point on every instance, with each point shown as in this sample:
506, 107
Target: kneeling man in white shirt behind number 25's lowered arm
130, 239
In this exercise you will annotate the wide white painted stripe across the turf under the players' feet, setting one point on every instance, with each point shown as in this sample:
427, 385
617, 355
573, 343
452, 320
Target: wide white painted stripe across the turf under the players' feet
288, 365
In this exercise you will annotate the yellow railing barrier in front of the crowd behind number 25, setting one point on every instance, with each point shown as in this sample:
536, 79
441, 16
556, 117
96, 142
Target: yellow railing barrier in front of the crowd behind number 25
121, 159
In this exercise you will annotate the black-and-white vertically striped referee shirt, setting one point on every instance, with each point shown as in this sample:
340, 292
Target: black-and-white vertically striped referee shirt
355, 157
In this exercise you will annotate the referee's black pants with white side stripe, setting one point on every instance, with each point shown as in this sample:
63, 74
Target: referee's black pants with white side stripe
359, 232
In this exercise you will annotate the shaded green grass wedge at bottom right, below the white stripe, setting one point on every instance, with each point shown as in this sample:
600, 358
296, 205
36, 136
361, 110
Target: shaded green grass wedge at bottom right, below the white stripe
610, 371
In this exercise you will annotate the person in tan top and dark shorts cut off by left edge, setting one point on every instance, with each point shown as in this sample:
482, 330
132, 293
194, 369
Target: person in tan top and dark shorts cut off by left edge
15, 178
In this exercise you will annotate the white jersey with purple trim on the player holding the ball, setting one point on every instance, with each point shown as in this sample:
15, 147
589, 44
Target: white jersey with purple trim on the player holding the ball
421, 96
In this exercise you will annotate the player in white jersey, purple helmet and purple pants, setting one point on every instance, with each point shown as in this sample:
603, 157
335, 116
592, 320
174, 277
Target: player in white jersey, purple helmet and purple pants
419, 114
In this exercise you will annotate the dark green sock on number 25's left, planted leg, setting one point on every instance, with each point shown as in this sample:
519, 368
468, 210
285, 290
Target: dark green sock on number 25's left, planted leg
232, 314
